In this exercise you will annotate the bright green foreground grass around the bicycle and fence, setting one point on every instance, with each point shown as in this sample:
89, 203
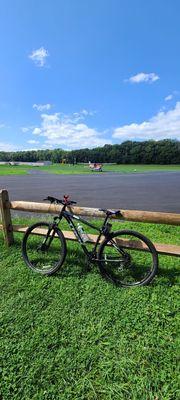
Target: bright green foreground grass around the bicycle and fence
75, 336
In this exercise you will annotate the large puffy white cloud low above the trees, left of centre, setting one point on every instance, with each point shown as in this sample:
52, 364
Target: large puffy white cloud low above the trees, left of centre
69, 131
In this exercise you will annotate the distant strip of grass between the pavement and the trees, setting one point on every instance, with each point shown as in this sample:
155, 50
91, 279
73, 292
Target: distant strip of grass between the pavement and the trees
84, 169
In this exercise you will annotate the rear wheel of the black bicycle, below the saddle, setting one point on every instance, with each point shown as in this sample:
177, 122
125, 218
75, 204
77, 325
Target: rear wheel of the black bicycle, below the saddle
128, 258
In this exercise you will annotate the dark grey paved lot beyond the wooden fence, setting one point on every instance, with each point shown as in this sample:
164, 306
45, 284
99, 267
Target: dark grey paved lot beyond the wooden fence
159, 191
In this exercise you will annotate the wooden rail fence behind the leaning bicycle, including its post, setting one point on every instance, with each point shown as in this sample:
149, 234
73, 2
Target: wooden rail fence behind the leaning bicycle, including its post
127, 215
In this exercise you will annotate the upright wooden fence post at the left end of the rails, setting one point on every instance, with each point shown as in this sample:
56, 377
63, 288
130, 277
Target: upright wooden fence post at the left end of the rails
6, 217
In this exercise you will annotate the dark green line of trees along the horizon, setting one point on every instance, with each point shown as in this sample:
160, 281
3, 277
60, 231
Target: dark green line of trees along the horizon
130, 152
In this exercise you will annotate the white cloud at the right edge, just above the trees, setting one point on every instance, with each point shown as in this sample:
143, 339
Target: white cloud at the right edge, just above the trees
164, 125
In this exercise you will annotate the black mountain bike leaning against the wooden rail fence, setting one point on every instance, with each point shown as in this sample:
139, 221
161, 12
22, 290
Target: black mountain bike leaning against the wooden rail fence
125, 257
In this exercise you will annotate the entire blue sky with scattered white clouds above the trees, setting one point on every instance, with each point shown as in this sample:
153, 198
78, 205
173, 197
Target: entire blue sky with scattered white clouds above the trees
82, 73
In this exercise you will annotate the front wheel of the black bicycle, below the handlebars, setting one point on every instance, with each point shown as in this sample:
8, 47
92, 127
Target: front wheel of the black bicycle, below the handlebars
44, 248
